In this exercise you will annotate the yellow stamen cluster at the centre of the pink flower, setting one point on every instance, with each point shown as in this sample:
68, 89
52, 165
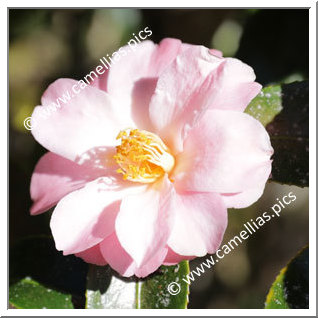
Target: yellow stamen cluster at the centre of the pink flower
142, 156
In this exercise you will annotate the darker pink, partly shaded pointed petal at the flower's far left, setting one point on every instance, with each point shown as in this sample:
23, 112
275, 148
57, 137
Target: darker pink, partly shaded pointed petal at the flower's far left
54, 177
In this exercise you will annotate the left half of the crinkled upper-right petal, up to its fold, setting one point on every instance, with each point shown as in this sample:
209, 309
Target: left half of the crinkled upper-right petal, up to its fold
175, 101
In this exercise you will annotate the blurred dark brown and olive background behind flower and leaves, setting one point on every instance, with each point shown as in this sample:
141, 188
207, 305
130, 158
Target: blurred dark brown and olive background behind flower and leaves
48, 44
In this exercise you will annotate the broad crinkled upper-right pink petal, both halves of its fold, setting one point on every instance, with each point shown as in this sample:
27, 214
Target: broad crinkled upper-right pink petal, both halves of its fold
215, 83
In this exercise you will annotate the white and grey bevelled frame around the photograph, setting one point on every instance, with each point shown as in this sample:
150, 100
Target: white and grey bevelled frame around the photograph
312, 161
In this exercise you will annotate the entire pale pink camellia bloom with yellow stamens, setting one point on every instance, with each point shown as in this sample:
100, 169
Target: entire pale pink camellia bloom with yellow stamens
144, 162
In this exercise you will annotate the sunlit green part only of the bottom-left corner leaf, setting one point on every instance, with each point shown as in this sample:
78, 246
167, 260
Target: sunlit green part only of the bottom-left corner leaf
28, 293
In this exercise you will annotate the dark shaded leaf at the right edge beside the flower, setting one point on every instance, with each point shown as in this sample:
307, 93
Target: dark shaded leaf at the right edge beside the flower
289, 133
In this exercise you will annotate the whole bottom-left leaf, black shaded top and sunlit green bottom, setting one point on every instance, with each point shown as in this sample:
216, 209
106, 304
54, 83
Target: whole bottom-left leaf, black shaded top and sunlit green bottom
40, 276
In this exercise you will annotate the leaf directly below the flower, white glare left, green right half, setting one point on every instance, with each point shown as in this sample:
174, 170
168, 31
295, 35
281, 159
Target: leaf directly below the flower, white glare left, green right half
106, 289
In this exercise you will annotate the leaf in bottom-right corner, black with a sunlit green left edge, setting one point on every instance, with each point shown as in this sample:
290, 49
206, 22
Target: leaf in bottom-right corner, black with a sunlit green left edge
291, 287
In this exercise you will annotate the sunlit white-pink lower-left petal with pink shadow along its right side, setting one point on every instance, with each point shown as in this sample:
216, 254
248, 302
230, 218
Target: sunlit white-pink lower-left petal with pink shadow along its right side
86, 216
